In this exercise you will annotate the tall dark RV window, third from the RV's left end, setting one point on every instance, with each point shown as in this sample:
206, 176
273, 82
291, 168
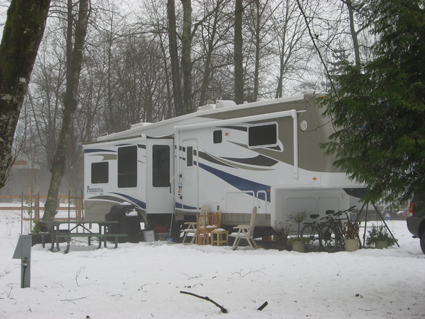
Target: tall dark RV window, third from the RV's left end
161, 166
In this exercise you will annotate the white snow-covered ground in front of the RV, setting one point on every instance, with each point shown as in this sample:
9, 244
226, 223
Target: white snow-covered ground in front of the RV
144, 280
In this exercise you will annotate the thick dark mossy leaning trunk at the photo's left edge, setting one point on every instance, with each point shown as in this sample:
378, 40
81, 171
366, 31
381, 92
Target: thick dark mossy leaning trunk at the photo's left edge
22, 34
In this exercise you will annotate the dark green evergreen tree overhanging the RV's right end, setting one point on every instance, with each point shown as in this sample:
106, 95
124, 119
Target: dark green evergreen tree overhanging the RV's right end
379, 110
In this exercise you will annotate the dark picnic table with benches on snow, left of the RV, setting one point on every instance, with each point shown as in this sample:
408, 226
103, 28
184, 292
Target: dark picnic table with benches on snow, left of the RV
67, 233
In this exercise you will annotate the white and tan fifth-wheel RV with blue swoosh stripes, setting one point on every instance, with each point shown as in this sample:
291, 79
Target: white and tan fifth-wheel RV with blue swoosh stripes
230, 157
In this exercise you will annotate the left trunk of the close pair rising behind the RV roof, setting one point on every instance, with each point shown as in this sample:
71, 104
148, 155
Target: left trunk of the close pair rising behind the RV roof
175, 73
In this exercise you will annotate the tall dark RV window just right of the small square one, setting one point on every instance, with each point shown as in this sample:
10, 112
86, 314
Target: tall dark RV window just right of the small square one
127, 166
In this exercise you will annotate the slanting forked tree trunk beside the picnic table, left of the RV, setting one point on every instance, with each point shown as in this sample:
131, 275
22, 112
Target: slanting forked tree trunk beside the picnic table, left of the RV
70, 105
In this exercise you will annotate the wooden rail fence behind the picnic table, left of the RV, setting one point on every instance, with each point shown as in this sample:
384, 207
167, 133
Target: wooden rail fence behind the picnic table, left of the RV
31, 205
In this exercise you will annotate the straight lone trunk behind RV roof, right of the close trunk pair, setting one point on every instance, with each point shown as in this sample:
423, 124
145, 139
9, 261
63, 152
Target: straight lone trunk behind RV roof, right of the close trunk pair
238, 57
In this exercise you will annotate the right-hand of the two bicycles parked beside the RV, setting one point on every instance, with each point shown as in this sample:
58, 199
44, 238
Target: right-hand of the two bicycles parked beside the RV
332, 232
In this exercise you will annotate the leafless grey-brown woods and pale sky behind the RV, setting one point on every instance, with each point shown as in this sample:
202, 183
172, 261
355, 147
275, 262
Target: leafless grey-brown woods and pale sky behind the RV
149, 60
